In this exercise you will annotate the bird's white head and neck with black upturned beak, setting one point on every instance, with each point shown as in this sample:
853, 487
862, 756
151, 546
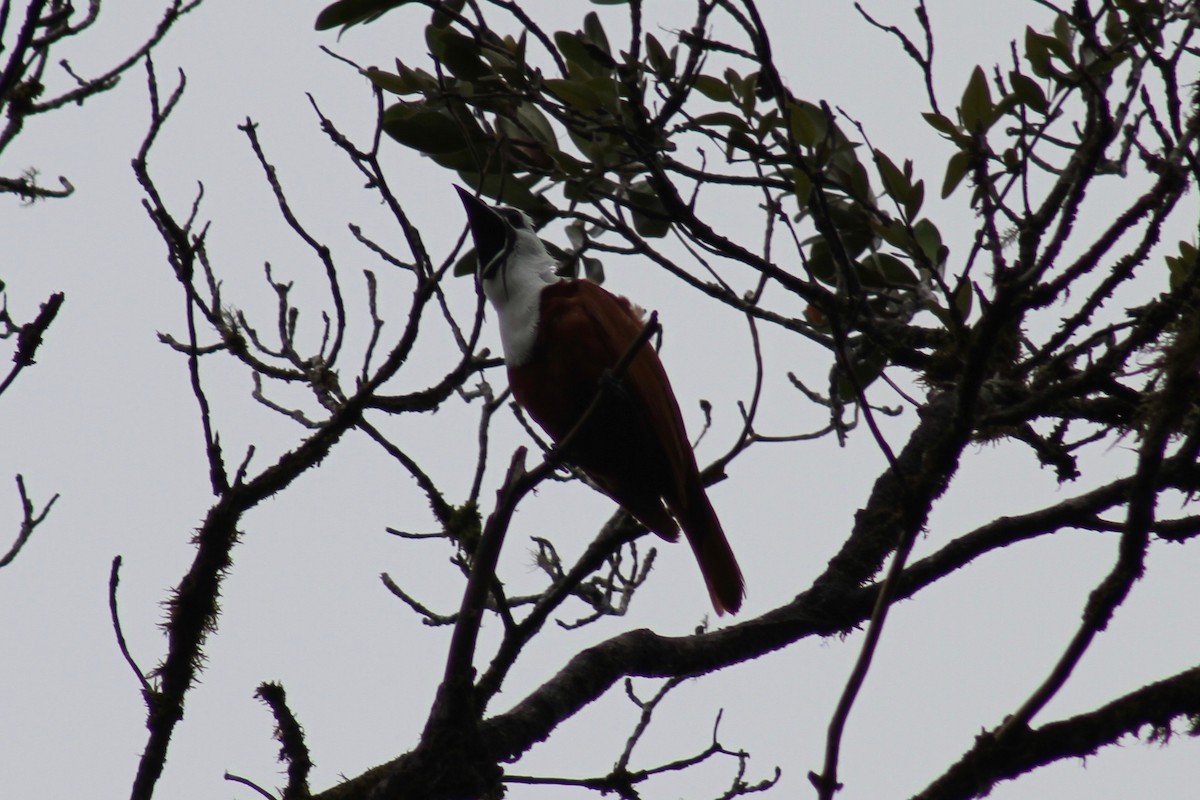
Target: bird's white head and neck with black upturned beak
514, 268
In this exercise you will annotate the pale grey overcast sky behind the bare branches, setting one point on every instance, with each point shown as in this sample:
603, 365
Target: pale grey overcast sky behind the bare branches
107, 420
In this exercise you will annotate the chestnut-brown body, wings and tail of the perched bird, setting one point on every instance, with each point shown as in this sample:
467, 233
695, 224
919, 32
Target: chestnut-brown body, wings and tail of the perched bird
634, 446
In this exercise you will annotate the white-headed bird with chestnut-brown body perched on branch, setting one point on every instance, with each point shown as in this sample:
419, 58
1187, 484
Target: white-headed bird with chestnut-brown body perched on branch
562, 339
